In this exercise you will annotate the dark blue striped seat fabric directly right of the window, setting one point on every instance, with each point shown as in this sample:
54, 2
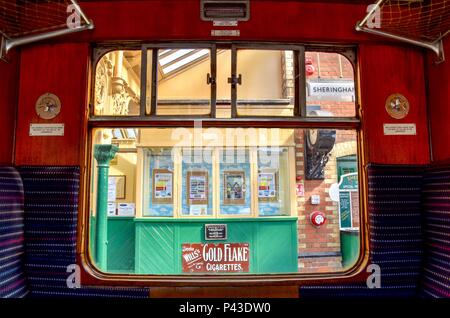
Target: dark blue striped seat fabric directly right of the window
395, 231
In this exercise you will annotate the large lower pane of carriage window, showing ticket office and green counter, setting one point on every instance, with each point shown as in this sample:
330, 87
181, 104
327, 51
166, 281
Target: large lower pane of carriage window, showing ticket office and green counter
269, 181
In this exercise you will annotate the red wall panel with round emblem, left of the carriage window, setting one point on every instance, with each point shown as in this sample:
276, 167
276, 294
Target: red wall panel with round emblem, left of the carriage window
61, 69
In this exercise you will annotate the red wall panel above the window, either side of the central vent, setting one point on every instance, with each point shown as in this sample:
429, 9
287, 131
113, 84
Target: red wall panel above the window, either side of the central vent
180, 19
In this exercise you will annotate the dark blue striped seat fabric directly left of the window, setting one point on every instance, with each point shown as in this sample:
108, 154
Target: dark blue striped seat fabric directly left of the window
51, 209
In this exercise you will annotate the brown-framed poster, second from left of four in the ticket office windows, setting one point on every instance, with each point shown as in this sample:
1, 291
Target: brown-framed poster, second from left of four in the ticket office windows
197, 188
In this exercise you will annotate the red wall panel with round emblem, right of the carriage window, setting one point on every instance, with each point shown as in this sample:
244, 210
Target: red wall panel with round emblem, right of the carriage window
386, 70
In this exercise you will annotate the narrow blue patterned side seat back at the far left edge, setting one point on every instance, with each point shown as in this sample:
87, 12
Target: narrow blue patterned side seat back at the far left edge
12, 278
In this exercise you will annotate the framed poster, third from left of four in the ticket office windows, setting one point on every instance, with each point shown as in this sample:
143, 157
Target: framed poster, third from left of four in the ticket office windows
234, 187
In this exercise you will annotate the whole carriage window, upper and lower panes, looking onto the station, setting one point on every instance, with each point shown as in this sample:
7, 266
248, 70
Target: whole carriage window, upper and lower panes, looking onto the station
171, 197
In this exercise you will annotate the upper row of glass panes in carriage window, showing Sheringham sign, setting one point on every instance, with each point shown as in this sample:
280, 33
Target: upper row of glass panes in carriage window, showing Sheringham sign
207, 81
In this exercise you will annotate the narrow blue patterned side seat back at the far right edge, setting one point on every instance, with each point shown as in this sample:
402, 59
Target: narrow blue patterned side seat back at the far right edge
436, 204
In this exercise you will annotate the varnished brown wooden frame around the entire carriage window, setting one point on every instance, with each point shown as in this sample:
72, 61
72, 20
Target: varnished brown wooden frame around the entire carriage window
90, 275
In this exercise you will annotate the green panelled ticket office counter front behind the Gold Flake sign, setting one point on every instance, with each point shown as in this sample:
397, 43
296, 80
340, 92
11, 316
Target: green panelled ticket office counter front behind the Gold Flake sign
154, 245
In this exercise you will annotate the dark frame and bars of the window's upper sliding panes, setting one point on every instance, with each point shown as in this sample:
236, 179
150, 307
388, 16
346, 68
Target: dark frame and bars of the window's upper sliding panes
300, 112
